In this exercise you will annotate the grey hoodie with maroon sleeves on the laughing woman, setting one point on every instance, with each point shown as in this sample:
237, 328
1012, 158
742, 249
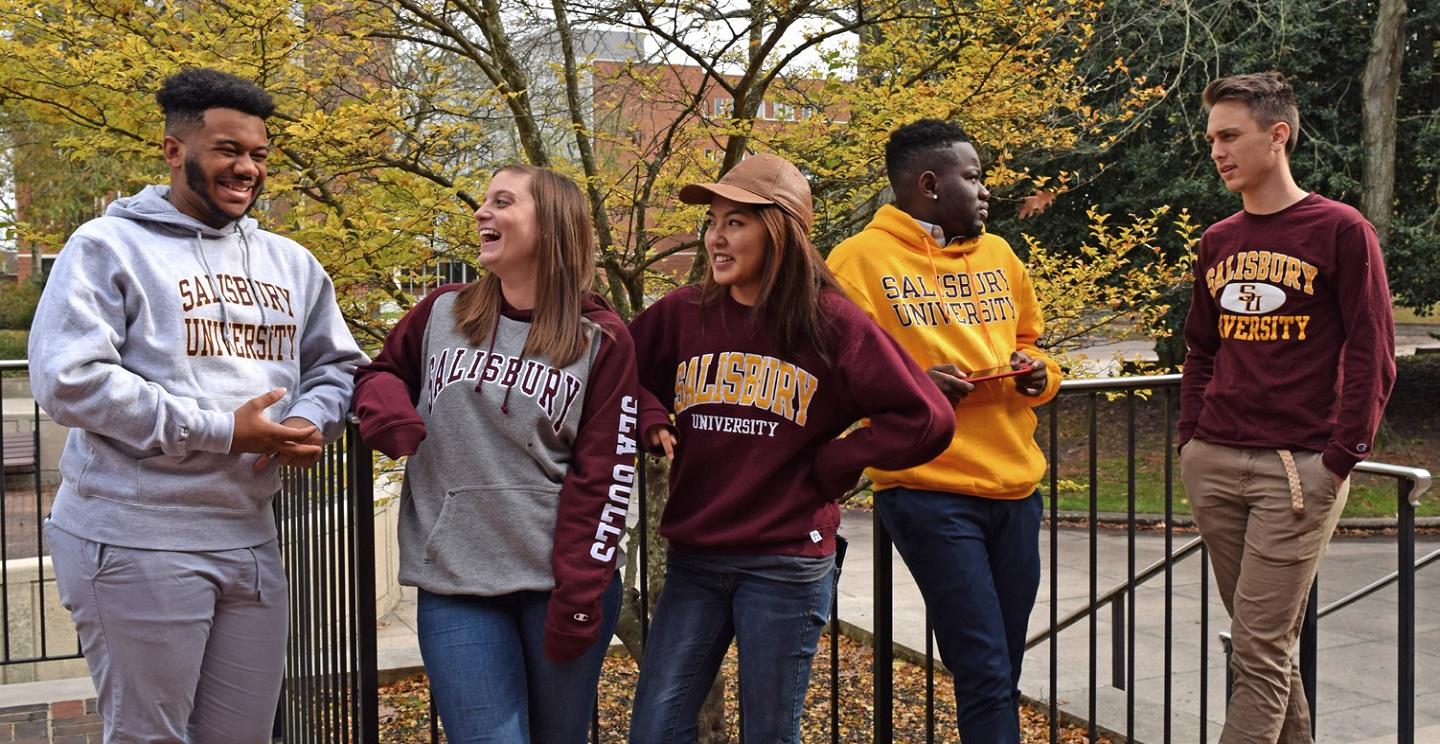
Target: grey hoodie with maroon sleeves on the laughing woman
519, 473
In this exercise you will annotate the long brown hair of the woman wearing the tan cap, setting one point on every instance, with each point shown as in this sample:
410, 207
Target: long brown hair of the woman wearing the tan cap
794, 278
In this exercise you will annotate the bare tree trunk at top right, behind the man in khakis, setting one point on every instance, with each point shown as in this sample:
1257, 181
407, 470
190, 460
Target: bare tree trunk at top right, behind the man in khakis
1382, 90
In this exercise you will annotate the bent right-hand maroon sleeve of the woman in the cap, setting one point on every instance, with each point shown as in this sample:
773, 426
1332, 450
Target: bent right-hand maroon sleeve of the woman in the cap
911, 421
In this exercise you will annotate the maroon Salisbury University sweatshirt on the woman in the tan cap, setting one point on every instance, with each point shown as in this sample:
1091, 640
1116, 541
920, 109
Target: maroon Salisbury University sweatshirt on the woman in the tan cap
760, 467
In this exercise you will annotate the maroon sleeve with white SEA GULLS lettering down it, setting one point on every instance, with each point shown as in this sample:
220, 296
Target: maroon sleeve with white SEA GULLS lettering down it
594, 497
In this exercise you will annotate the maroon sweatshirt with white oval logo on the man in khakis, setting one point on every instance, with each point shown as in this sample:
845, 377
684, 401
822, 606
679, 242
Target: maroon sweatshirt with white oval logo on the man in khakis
1292, 342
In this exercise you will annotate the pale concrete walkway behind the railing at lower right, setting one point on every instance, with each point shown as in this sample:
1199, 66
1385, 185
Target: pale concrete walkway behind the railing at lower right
1357, 666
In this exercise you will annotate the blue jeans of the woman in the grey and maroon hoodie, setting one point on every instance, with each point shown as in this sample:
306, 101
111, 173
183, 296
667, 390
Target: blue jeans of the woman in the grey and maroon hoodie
489, 674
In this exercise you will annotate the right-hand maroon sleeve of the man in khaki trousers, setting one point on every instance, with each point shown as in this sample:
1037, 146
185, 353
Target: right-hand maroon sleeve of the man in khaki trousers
1369, 359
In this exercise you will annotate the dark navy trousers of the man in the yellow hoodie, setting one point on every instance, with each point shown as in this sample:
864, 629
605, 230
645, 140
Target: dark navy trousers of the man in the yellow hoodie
977, 563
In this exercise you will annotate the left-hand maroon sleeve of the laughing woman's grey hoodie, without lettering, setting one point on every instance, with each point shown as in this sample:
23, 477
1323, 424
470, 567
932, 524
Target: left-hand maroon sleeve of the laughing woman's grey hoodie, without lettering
390, 388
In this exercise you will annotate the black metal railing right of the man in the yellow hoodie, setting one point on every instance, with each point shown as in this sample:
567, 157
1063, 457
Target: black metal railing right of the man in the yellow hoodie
1410, 483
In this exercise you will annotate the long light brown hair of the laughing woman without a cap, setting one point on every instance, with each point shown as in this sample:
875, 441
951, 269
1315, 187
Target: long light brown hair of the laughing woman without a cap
565, 270
